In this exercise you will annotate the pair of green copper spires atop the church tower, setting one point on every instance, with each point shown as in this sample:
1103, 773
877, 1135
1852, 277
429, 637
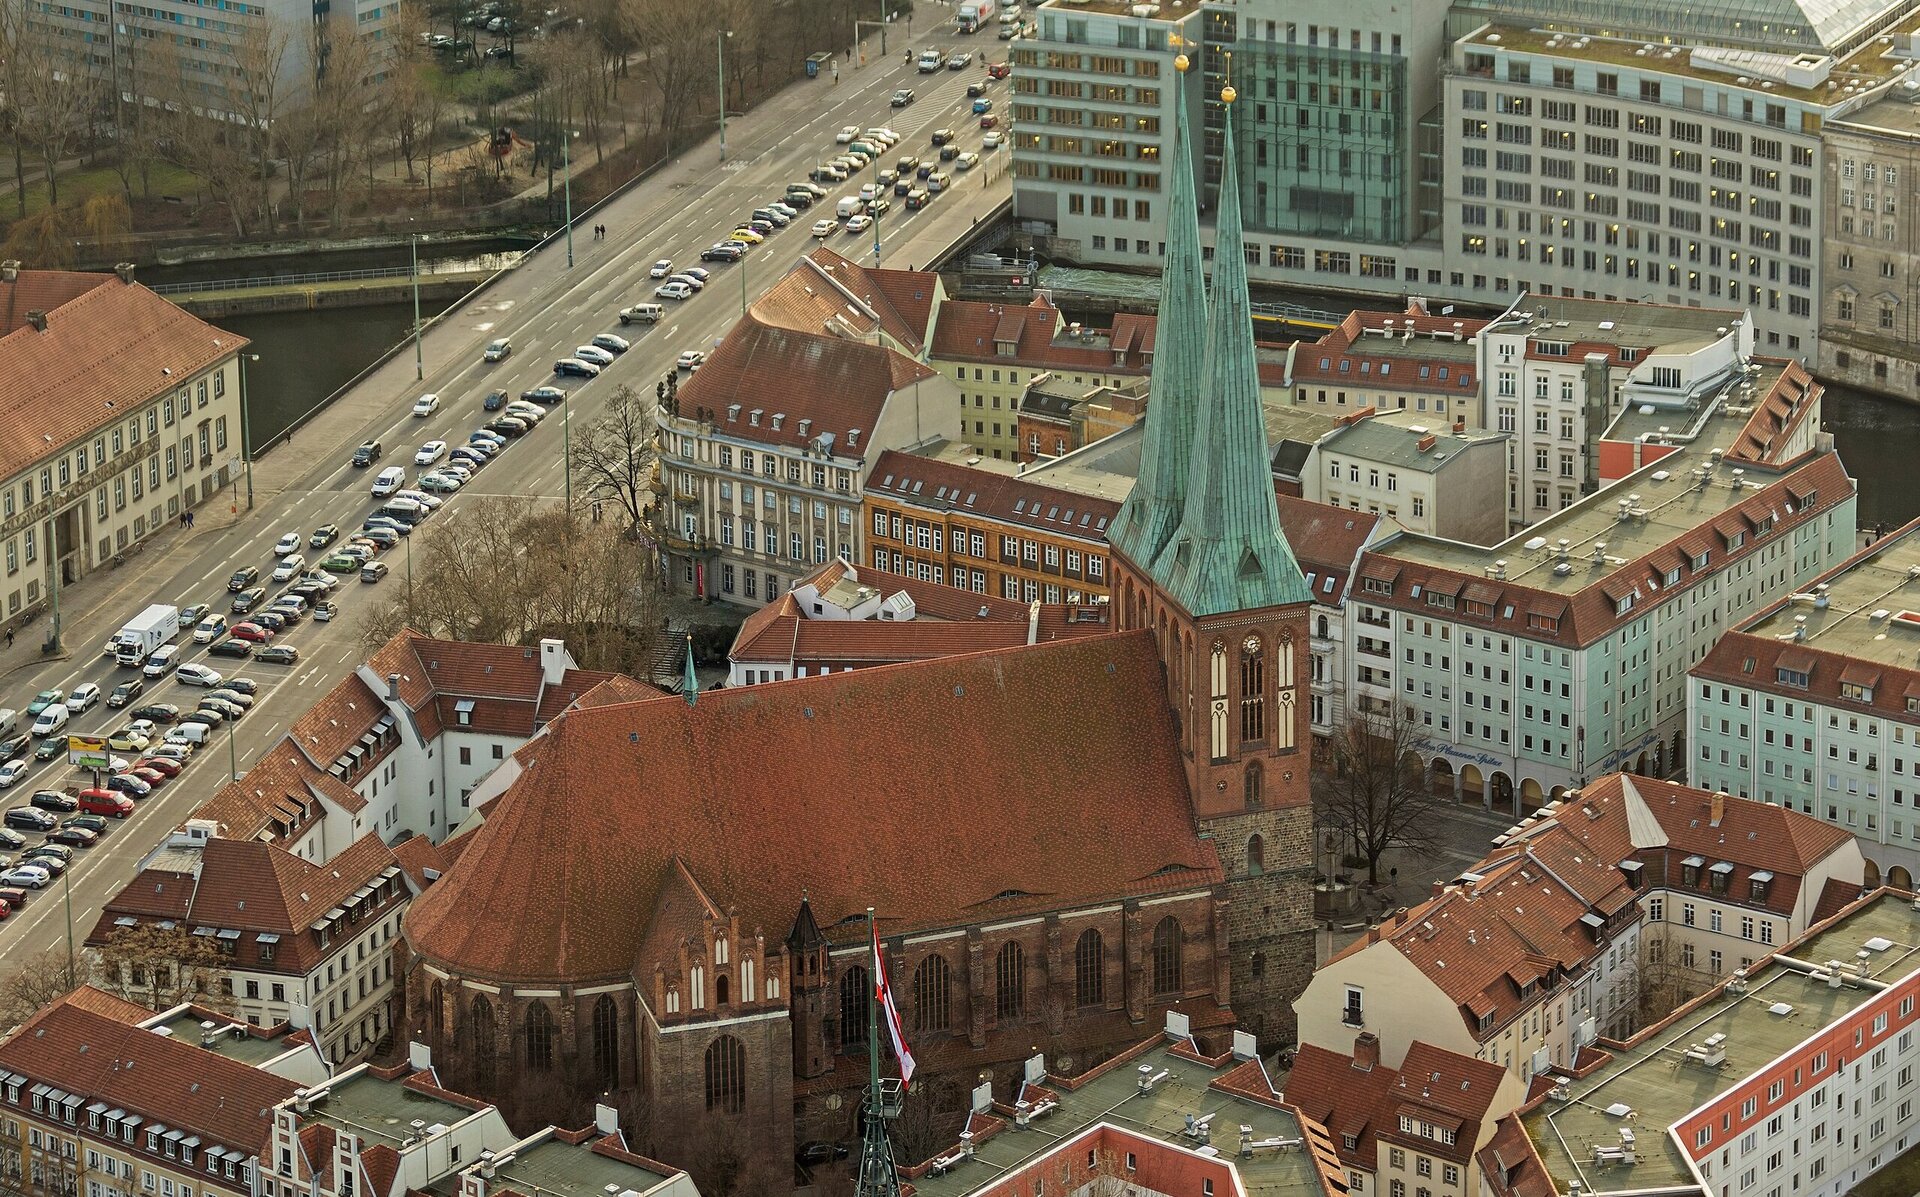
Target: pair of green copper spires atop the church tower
1201, 520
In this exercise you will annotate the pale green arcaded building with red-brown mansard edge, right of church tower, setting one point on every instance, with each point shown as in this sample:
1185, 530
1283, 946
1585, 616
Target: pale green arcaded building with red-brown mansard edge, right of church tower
1562, 652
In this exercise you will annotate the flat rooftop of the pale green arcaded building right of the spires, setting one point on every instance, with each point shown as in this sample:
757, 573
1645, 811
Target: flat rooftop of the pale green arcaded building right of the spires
1673, 504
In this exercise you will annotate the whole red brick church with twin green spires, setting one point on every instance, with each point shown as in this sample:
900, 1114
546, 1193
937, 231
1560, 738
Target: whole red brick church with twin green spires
665, 902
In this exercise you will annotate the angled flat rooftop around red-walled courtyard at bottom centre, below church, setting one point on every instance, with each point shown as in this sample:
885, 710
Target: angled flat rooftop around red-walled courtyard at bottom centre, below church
1161, 1115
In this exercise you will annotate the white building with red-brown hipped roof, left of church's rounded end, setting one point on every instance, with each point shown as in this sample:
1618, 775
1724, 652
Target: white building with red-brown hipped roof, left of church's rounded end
306, 944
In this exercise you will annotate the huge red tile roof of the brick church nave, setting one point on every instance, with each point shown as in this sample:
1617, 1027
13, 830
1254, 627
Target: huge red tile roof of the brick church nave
759, 794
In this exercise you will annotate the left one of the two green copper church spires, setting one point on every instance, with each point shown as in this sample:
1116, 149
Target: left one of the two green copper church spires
1153, 508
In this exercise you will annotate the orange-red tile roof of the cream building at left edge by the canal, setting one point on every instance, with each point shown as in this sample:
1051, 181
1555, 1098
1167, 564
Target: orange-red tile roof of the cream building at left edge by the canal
108, 347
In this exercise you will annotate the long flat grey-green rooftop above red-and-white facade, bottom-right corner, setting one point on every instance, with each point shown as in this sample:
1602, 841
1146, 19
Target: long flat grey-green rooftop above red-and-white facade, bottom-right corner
1660, 1085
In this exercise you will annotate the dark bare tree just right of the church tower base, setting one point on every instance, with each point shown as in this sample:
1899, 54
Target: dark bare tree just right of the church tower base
1374, 791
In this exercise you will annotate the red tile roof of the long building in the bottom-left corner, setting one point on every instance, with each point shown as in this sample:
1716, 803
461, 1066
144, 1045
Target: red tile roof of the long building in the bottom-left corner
162, 1079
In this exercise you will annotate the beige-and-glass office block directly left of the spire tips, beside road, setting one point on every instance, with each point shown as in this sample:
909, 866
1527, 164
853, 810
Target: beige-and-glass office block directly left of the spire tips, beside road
1095, 99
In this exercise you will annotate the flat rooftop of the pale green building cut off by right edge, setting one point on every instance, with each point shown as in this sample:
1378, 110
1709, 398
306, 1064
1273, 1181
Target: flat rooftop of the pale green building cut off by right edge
1883, 581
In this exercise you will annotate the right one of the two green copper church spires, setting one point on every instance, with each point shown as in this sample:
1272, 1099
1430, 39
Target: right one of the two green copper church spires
1230, 552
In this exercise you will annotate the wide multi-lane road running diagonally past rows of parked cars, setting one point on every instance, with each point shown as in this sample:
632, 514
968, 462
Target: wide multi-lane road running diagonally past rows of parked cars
546, 308
